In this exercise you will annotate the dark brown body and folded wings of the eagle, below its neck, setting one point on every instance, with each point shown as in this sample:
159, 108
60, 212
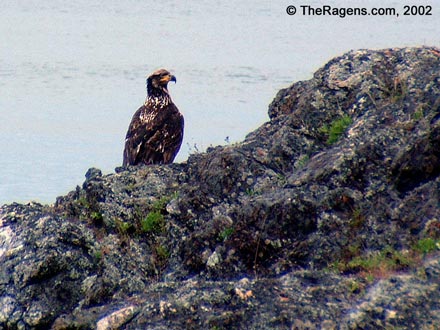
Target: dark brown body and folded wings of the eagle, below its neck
153, 137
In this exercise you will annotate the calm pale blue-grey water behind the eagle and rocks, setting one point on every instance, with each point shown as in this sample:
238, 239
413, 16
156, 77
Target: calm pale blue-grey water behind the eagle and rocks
72, 74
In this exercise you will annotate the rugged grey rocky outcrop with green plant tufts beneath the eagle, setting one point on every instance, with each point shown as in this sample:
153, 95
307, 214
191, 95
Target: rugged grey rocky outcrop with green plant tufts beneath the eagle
325, 217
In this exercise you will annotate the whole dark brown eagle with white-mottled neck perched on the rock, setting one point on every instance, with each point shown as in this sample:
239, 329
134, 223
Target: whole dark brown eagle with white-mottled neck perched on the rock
156, 129
